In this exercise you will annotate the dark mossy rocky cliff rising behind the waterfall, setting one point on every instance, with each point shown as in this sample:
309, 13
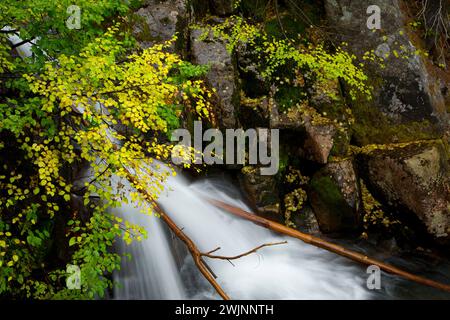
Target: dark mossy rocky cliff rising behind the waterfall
396, 143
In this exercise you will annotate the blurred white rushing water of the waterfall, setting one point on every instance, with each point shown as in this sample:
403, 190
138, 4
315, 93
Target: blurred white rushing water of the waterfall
291, 271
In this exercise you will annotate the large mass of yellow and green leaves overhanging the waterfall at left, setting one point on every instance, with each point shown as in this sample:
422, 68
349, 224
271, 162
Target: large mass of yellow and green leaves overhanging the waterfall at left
65, 117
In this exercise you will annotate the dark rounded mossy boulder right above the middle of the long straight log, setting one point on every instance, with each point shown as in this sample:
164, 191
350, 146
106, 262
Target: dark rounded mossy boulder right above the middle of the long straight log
335, 197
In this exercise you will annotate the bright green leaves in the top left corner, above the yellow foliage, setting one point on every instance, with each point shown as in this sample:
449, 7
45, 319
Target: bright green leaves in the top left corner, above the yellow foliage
44, 22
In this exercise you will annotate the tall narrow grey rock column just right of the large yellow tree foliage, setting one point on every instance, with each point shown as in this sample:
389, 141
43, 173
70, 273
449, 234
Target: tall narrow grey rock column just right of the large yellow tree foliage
222, 76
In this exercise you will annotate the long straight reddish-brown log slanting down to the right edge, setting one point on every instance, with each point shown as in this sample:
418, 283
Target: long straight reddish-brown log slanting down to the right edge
318, 242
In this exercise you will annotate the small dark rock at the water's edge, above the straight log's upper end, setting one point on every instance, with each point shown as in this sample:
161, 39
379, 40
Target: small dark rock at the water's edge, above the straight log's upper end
262, 192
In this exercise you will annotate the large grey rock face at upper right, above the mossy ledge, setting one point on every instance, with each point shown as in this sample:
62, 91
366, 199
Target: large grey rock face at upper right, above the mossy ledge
405, 92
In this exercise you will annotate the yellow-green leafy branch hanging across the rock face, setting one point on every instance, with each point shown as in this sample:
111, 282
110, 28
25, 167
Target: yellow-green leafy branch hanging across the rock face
311, 61
